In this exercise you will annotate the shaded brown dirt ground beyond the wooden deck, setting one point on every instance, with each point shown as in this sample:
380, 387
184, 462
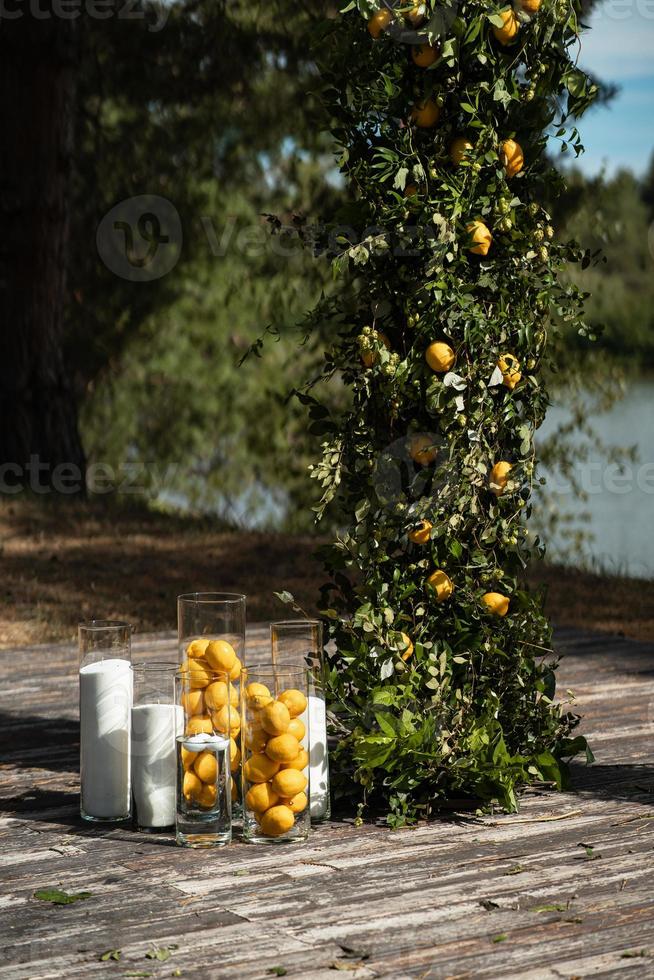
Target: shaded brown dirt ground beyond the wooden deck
63, 562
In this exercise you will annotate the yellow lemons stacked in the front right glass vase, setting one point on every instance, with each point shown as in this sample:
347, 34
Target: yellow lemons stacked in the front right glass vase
274, 768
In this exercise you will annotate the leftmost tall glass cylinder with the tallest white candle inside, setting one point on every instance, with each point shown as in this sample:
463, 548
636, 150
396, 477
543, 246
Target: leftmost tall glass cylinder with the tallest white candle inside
105, 701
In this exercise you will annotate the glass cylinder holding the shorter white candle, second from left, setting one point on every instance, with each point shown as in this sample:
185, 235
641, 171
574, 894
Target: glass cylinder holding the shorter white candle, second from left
156, 722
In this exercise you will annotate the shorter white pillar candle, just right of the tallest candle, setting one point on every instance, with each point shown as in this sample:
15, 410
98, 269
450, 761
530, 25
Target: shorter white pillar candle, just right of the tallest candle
154, 730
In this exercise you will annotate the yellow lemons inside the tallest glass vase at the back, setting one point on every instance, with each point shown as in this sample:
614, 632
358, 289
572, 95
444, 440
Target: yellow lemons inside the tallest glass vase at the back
210, 705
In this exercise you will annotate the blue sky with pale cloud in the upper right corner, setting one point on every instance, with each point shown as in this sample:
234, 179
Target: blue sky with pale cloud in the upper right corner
619, 48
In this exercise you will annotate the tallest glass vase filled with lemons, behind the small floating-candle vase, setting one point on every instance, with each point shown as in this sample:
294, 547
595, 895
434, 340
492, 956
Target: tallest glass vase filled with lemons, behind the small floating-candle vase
211, 641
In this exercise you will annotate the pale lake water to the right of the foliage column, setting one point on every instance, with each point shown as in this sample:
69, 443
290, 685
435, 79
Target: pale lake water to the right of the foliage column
621, 506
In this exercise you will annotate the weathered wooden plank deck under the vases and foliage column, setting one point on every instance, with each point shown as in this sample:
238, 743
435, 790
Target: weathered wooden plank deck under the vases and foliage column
563, 889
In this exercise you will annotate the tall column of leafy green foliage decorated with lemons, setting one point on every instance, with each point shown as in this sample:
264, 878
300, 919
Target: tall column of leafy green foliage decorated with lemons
470, 712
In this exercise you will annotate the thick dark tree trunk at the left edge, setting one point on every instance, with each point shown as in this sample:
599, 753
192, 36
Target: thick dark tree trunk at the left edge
38, 416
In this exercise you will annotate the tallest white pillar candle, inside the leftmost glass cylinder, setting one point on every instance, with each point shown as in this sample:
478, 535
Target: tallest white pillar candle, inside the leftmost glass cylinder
105, 689
